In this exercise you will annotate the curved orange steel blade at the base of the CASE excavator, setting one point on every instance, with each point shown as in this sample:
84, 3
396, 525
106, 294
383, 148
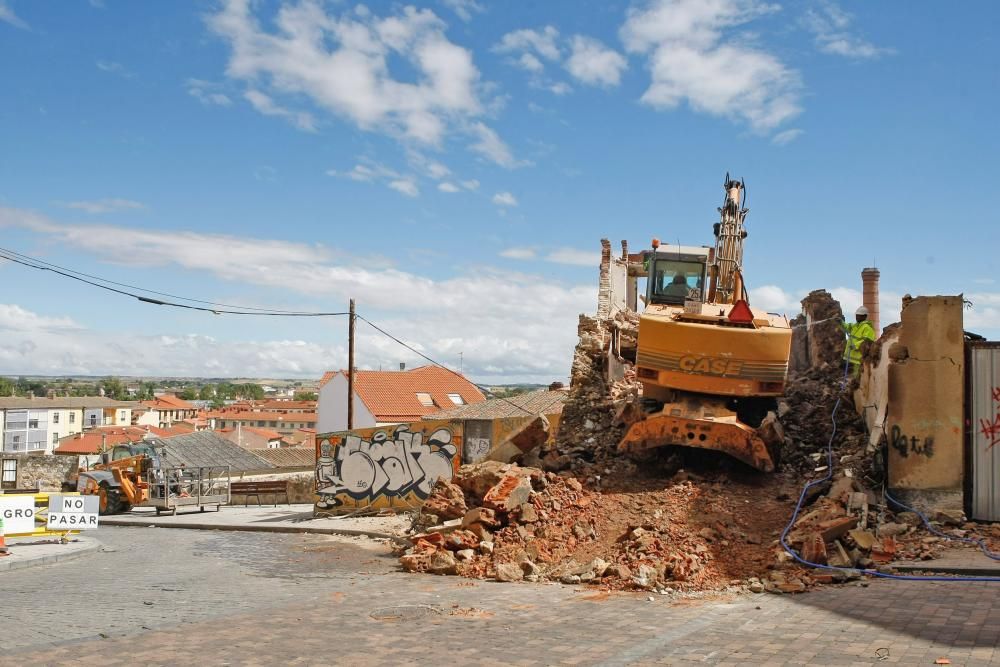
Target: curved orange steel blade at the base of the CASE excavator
696, 425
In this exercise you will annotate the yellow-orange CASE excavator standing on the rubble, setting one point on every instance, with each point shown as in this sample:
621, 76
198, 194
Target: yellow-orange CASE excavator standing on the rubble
711, 367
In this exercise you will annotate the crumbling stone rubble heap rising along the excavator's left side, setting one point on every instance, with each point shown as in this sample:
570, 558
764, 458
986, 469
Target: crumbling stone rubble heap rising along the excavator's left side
588, 429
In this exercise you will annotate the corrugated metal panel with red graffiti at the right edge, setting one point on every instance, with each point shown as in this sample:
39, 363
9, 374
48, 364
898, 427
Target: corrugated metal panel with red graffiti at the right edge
984, 413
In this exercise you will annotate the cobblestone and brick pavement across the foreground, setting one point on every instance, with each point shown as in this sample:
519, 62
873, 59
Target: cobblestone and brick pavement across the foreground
223, 598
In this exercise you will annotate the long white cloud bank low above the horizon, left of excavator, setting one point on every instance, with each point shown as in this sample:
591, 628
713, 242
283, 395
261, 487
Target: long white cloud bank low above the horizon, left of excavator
501, 337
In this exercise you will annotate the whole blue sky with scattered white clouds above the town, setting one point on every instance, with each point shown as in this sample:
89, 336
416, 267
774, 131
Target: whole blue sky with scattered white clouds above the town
453, 165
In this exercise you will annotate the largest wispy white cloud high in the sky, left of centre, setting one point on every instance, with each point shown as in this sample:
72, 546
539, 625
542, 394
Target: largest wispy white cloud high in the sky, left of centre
344, 64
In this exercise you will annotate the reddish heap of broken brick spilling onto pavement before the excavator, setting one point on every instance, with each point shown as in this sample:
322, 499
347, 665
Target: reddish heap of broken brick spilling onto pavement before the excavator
526, 524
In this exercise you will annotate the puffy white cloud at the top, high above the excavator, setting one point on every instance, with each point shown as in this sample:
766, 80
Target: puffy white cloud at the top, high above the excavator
694, 57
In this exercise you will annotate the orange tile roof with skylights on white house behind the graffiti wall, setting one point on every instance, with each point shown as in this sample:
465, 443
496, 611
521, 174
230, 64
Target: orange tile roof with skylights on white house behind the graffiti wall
392, 395
